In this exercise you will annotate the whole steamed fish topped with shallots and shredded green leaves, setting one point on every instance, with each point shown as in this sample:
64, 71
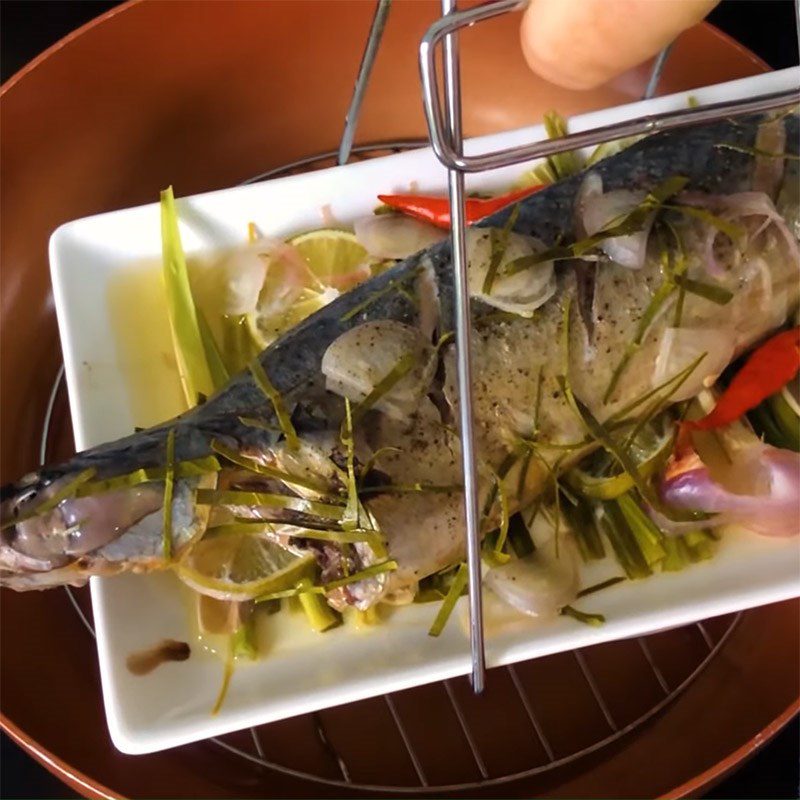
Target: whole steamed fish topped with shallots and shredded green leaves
553, 313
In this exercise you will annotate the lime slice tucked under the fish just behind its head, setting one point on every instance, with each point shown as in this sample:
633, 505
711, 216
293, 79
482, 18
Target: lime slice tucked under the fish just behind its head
242, 566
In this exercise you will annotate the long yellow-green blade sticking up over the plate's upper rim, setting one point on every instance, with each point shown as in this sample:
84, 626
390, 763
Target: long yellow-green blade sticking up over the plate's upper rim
190, 354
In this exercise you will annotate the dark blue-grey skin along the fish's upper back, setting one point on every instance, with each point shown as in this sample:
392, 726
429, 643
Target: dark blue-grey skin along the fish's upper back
293, 362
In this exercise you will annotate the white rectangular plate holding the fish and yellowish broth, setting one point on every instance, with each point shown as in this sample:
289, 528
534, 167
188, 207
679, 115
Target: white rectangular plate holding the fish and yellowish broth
92, 260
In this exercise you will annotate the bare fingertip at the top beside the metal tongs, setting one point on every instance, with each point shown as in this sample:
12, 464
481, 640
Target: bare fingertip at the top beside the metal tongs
580, 44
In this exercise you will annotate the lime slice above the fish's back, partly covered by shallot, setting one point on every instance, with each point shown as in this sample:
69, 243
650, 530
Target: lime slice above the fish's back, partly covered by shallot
336, 262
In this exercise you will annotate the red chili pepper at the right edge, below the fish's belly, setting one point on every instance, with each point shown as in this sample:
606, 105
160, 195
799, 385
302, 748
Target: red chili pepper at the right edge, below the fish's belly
769, 368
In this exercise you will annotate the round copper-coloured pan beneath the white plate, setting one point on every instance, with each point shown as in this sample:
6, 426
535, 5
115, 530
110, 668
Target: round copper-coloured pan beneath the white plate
208, 94
